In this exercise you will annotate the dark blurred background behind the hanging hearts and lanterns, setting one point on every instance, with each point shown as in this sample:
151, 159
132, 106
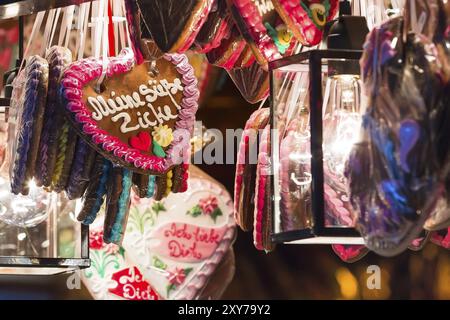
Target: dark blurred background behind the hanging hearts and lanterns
290, 272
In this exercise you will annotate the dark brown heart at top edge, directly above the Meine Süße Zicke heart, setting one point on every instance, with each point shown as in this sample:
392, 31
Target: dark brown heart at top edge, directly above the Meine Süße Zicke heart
173, 25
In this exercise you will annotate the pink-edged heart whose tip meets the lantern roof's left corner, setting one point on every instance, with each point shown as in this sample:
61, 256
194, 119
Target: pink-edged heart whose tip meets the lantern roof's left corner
262, 27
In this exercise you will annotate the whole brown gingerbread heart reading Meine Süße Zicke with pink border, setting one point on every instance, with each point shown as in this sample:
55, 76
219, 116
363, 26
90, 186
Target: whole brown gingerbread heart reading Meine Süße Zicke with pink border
143, 116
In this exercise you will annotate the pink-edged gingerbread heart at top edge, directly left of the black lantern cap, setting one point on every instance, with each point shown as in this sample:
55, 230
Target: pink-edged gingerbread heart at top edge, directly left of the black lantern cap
307, 18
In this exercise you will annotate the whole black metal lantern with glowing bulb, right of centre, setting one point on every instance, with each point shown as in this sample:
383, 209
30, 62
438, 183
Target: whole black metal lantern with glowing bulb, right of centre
316, 115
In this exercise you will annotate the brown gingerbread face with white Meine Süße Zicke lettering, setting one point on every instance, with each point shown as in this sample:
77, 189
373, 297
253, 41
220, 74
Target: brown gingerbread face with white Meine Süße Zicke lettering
115, 112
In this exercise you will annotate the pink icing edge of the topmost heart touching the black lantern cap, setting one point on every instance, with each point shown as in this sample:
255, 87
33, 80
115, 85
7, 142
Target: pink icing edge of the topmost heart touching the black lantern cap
310, 33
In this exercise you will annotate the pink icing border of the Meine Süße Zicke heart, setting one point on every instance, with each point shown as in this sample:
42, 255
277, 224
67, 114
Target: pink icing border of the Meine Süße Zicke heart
82, 72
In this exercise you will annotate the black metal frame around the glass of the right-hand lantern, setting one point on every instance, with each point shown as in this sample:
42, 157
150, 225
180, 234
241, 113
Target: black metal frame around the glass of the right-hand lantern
319, 233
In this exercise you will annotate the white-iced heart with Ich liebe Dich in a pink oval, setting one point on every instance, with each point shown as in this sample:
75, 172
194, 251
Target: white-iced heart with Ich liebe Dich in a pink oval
178, 242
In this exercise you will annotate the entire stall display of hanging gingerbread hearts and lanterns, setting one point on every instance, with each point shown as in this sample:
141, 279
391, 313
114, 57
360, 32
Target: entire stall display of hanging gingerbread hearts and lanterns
101, 124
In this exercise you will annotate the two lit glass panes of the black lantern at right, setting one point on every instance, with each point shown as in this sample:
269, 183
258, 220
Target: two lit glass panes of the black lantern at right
341, 118
